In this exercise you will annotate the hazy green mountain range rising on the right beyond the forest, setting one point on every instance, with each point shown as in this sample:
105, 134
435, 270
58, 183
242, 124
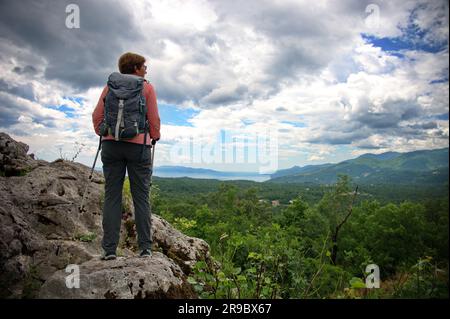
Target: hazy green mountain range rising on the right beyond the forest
429, 167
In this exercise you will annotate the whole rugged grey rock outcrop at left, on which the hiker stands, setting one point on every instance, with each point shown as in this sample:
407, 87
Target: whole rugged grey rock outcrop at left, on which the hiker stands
42, 230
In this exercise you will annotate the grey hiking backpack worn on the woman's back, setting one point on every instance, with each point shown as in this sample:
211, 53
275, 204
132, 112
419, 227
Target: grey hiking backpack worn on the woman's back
125, 114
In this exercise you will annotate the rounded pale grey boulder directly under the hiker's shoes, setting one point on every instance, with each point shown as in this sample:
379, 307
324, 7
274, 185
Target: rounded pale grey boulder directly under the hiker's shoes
156, 277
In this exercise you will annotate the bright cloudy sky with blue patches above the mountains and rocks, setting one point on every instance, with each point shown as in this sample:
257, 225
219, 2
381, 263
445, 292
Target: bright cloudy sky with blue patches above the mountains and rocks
241, 85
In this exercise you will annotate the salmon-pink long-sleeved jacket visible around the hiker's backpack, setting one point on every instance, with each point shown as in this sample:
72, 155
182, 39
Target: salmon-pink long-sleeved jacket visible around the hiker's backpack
152, 116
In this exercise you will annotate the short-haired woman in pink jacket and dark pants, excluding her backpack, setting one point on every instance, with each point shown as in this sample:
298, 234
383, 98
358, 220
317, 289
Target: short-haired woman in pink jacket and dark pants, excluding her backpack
120, 155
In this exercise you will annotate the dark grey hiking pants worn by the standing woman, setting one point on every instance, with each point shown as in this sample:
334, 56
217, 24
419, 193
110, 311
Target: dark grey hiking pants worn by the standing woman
116, 157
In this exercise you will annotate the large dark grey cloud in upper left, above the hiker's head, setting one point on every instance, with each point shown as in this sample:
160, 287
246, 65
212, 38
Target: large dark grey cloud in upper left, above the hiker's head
79, 57
